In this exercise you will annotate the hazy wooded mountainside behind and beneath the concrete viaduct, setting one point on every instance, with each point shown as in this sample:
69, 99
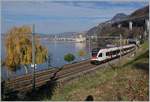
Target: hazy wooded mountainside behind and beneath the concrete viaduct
107, 29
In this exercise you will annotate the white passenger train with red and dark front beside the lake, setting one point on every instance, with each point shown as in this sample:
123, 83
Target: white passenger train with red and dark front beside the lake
106, 54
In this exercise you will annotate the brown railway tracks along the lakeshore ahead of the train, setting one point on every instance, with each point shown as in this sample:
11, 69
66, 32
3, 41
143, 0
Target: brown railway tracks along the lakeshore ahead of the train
24, 83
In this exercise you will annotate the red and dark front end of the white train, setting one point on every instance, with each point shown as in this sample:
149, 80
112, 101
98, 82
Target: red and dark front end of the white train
94, 58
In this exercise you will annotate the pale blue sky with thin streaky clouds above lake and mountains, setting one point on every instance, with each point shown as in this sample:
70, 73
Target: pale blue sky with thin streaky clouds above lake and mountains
53, 17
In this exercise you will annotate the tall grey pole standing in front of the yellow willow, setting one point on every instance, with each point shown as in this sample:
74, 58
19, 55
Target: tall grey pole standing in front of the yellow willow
33, 56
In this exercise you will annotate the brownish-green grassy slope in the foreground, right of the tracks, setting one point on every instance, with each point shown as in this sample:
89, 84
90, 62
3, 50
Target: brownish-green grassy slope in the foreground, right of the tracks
128, 82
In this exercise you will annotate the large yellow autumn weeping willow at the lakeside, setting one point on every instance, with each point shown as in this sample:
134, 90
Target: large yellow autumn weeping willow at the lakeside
18, 44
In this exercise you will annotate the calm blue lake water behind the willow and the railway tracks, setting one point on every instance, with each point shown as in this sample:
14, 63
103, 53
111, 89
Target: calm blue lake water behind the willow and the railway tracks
57, 50
